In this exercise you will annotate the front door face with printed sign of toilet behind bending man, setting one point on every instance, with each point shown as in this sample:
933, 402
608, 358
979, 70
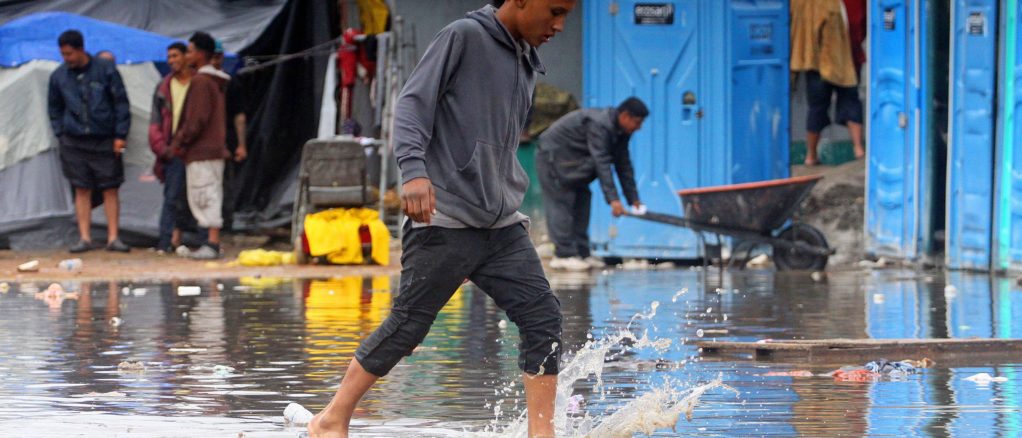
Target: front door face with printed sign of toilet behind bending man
654, 52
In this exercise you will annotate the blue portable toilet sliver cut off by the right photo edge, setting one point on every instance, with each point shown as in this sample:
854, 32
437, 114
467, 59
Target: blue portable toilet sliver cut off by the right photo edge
1008, 174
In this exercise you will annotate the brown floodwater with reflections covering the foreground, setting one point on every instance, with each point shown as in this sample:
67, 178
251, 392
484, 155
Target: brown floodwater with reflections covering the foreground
225, 359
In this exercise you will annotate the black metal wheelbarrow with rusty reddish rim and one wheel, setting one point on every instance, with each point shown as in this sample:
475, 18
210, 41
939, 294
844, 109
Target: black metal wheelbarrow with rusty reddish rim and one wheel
755, 214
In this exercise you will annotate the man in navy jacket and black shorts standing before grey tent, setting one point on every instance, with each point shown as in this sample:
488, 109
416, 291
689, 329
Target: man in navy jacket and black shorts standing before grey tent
89, 113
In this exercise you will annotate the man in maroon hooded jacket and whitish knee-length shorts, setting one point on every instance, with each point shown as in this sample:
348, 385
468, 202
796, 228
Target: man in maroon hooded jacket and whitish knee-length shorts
202, 141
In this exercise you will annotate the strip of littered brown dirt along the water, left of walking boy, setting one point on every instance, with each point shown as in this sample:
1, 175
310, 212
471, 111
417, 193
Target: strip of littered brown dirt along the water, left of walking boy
146, 264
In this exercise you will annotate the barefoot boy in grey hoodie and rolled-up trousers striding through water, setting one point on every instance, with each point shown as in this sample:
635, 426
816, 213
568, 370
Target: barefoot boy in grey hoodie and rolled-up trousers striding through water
456, 133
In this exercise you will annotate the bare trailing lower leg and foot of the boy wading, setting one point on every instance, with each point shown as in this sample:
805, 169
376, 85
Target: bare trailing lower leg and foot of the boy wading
333, 422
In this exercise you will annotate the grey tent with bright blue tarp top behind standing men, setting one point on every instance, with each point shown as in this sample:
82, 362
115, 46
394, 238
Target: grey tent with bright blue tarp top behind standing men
37, 201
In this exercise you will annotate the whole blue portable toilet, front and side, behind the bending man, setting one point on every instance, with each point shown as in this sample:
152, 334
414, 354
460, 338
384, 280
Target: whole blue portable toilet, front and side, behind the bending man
715, 76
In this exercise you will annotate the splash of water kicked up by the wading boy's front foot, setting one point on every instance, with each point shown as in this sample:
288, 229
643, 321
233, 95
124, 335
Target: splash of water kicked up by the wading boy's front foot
660, 409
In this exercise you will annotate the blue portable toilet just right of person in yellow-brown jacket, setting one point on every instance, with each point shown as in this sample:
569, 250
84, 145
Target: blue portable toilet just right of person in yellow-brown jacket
904, 197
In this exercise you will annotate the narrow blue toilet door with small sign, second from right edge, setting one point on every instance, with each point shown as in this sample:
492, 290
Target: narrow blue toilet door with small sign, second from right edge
972, 125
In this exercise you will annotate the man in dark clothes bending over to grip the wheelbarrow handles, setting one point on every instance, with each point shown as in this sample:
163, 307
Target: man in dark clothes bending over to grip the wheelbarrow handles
581, 148
